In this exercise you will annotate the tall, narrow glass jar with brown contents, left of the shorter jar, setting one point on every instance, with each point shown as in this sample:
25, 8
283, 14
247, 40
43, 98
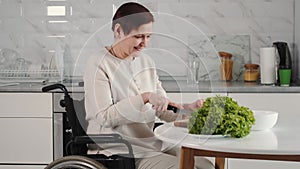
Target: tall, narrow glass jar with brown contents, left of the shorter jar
226, 66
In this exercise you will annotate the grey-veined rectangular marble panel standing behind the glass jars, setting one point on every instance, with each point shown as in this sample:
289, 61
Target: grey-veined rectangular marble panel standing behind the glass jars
206, 50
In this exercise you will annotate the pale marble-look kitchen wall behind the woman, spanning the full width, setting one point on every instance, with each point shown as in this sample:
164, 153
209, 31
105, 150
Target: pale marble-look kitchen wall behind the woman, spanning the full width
231, 25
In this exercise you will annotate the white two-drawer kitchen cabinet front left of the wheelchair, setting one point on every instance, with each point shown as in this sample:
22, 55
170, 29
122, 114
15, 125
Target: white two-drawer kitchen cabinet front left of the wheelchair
26, 129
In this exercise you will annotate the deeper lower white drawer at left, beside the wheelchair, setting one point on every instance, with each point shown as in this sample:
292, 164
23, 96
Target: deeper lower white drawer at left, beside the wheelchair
26, 140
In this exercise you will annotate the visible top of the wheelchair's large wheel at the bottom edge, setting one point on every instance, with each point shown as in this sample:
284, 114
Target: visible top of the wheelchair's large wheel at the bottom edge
75, 162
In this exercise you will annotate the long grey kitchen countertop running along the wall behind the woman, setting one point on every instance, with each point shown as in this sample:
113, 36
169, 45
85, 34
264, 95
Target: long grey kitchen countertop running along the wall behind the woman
171, 86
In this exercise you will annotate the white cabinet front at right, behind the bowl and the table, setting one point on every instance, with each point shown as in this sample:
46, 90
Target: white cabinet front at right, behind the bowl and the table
286, 104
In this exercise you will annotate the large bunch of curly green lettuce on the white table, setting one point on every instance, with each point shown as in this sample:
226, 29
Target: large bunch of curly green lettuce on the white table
221, 115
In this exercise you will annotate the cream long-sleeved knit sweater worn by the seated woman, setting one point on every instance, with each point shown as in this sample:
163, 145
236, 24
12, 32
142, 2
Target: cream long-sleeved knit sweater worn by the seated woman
113, 100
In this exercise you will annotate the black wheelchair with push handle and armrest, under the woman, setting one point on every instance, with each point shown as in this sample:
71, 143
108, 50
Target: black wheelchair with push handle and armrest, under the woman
77, 147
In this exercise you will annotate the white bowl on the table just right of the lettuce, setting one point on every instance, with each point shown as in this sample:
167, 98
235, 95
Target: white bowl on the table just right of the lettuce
264, 120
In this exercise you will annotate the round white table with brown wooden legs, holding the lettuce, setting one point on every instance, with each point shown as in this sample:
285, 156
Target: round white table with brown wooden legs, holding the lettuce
280, 143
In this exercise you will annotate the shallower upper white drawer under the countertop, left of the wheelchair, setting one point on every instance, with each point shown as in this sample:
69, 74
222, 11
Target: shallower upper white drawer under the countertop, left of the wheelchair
26, 105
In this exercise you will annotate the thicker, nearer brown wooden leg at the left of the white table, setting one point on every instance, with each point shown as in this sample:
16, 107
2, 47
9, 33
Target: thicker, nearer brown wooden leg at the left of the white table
187, 158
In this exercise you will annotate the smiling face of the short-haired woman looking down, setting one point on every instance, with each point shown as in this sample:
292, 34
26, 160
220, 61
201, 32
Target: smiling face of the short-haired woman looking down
137, 39
